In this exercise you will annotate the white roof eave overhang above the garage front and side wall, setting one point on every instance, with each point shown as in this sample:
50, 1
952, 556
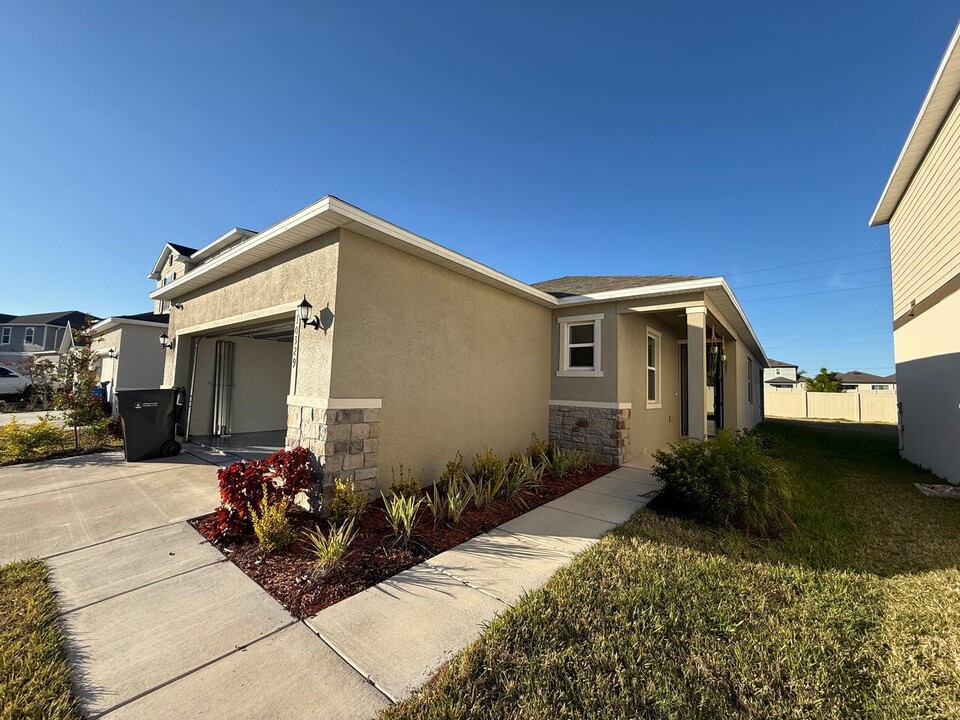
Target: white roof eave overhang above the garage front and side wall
325, 215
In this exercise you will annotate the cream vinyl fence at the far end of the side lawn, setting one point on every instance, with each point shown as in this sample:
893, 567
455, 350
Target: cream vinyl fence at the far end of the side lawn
855, 407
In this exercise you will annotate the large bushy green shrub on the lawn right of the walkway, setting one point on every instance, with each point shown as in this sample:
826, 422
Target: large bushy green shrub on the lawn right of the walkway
728, 481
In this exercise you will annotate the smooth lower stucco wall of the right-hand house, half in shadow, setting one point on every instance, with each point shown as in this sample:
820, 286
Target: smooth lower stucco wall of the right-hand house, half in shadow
927, 352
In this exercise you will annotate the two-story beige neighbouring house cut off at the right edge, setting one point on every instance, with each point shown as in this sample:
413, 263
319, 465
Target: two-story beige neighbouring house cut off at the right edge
921, 206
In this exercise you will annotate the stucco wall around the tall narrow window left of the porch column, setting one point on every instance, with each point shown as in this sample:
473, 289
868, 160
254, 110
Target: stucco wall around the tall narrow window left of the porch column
650, 428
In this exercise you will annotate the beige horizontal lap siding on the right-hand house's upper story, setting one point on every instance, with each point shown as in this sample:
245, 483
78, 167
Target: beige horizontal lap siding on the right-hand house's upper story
925, 229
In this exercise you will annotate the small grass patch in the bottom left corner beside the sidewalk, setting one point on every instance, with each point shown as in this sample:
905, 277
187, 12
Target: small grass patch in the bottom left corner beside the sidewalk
34, 675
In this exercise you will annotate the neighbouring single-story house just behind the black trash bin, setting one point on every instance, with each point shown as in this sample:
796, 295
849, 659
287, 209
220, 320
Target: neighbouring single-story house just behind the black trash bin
128, 352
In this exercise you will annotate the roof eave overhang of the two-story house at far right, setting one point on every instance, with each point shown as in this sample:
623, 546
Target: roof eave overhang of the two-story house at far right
936, 107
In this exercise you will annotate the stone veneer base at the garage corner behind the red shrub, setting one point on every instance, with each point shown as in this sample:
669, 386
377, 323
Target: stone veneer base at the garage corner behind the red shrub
345, 441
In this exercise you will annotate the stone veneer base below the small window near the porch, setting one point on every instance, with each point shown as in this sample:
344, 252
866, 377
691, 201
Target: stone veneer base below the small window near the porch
604, 431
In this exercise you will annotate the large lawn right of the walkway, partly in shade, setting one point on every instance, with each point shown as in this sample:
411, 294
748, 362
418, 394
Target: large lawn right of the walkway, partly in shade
855, 615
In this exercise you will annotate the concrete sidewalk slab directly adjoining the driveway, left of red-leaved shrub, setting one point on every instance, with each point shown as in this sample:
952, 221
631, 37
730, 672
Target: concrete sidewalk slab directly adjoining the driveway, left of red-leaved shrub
107, 569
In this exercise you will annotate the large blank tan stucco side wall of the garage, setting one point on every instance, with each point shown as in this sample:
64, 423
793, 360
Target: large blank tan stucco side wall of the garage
458, 364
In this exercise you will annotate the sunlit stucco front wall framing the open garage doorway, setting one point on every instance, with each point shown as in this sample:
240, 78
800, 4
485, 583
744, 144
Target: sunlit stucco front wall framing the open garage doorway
271, 288
